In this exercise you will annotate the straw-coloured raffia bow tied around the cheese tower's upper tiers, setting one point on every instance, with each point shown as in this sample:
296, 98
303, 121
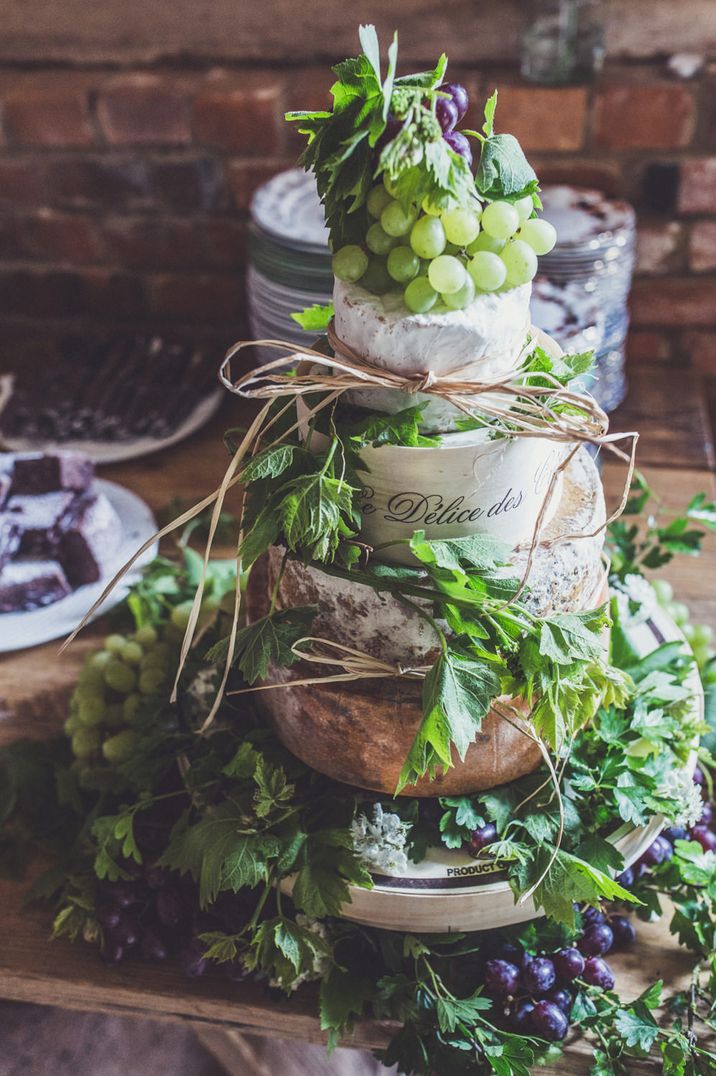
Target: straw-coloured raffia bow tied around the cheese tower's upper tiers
516, 409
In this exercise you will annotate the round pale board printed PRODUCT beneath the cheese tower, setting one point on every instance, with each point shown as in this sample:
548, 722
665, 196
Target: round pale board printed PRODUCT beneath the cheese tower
444, 893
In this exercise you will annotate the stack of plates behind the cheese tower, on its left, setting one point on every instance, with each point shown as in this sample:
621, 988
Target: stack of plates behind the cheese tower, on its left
289, 259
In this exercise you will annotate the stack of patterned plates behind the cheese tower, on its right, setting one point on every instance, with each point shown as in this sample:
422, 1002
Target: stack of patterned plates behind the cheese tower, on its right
596, 252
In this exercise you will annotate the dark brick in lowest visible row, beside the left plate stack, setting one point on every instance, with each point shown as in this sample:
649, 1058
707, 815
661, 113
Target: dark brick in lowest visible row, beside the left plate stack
198, 298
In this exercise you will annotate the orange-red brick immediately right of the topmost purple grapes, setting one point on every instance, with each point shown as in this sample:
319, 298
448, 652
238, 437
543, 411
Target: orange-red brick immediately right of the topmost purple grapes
544, 119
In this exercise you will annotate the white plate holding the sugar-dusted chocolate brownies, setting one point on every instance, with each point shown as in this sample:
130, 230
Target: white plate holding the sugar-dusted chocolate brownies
22, 630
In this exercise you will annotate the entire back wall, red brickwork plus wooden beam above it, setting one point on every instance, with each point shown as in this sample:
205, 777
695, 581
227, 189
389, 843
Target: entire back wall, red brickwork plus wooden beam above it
134, 135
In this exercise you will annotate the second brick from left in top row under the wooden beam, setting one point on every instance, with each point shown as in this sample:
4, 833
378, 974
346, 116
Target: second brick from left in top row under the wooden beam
139, 108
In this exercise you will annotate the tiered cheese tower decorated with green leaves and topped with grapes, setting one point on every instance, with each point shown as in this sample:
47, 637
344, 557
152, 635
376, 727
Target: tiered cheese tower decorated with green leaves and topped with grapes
460, 525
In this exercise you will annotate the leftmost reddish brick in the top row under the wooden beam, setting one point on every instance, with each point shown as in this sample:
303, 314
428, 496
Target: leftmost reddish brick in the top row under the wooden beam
49, 110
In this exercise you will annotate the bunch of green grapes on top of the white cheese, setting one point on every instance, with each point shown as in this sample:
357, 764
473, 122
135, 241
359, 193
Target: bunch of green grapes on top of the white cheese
445, 257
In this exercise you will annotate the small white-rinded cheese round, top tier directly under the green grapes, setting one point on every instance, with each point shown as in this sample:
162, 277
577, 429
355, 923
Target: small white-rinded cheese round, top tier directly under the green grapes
482, 342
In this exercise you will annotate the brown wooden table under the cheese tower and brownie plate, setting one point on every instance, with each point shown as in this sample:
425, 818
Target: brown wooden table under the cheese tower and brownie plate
678, 457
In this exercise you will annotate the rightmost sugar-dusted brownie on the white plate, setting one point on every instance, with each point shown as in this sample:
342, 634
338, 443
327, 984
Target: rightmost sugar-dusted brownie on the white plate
91, 533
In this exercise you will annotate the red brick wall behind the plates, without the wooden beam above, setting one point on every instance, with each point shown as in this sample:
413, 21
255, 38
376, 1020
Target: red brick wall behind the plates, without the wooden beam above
124, 193
